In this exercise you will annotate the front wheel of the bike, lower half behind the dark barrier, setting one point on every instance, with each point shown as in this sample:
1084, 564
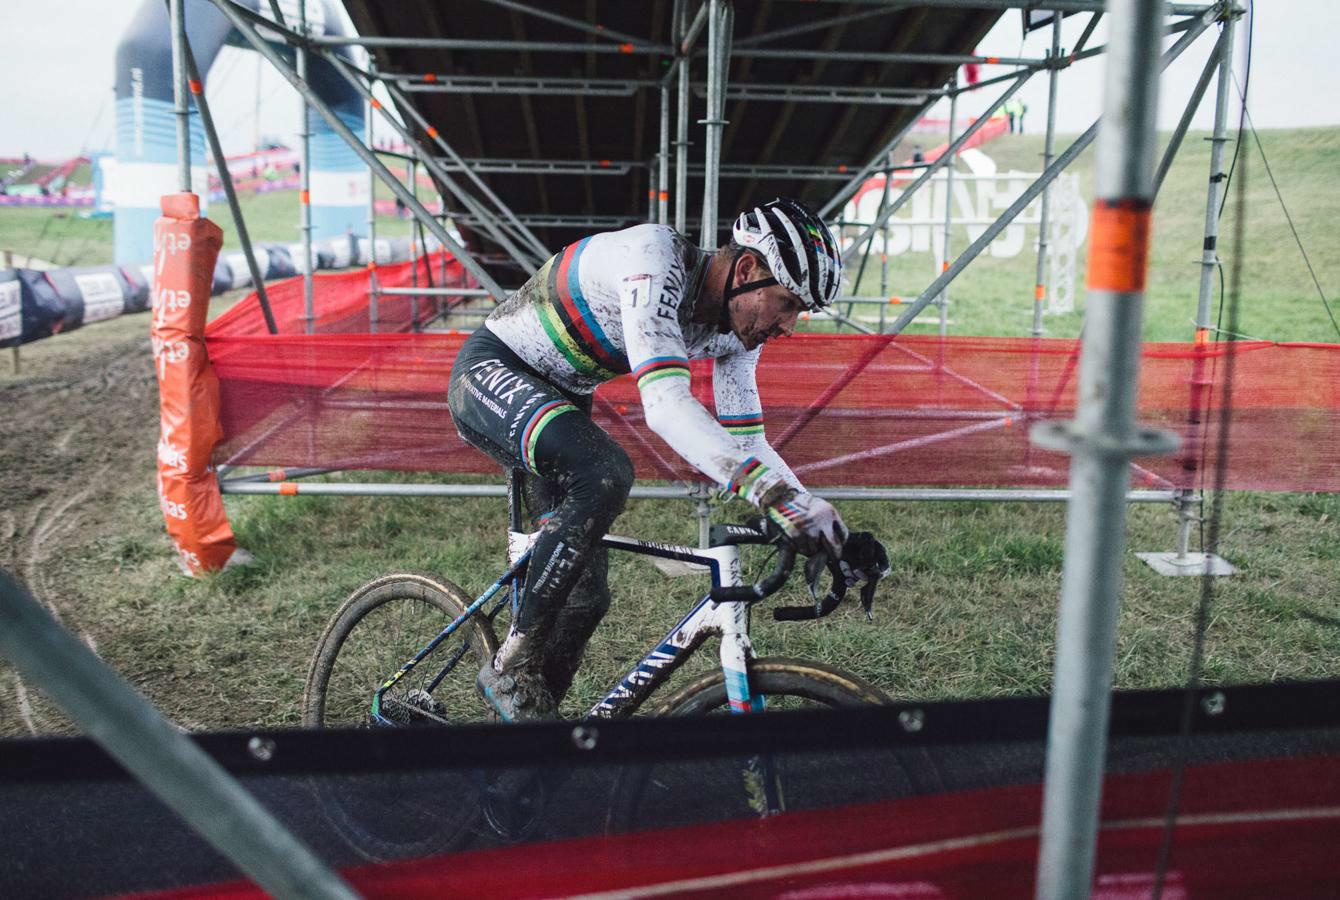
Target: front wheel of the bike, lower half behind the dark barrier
671, 795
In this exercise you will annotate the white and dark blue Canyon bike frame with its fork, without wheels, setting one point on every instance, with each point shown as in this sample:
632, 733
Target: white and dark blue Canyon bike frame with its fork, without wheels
730, 621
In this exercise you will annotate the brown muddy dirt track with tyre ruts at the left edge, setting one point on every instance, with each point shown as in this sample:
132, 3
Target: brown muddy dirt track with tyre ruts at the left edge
80, 431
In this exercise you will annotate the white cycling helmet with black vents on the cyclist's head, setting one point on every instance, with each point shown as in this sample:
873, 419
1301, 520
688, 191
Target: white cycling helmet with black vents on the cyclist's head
799, 248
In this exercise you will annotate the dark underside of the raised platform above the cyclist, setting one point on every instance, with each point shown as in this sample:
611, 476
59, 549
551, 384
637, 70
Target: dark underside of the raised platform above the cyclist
628, 129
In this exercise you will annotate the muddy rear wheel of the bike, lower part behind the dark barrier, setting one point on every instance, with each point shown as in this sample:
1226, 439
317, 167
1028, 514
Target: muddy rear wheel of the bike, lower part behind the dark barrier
384, 625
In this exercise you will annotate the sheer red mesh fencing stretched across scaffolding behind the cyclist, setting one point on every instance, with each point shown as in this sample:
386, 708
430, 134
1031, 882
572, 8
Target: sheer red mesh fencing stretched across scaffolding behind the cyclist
842, 409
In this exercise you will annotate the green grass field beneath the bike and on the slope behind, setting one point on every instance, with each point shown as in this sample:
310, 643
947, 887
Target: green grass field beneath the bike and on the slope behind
969, 610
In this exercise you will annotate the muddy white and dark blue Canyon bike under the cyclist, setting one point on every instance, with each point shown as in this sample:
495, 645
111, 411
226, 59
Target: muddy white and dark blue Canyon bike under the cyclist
405, 652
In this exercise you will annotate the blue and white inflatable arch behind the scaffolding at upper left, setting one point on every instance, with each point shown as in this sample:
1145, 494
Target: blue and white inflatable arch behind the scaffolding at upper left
147, 129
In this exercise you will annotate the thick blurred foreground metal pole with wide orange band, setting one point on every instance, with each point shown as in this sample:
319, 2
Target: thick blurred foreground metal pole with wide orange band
1102, 440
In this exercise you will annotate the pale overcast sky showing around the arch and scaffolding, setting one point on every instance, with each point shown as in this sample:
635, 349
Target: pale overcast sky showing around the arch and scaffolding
57, 77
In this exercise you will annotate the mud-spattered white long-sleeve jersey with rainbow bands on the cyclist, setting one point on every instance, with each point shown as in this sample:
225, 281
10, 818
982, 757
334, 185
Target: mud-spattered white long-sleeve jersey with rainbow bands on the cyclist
624, 302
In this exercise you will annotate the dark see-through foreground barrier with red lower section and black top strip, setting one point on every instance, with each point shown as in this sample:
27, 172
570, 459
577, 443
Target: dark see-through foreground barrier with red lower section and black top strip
939, 800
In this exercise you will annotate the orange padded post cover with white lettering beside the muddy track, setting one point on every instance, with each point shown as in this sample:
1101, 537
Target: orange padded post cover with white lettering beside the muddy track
186, 251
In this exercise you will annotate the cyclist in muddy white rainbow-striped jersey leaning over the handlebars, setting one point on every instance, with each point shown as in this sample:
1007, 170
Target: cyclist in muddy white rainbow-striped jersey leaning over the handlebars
643, 301
